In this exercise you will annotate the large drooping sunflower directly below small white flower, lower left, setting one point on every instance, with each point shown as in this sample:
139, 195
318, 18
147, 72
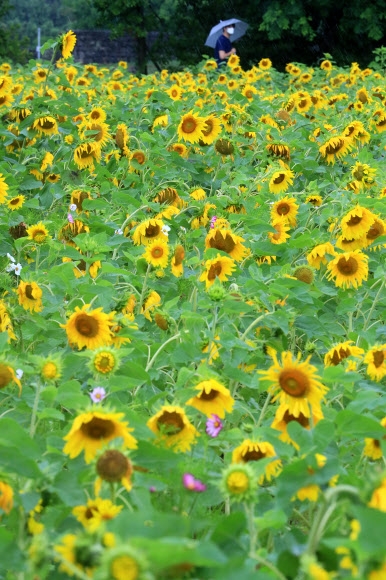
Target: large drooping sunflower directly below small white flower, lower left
92, 430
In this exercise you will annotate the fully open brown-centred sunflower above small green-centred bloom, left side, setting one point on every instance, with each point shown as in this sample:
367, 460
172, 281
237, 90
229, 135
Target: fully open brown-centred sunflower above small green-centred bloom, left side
88, 328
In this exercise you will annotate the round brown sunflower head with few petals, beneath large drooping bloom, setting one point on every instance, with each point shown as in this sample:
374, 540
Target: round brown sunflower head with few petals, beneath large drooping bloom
113, 466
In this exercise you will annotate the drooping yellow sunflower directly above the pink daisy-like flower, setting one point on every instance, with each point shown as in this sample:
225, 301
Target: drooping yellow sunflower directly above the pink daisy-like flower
213, 398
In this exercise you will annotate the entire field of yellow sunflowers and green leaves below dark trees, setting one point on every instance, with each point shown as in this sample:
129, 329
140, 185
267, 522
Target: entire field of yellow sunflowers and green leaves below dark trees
192, 322
